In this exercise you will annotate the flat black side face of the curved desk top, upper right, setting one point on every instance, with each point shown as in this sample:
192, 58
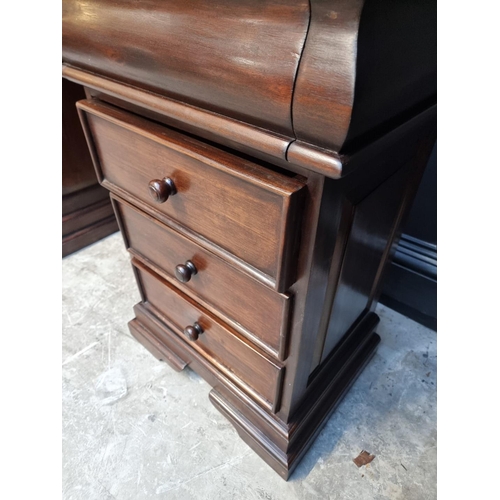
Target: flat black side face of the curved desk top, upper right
396, 67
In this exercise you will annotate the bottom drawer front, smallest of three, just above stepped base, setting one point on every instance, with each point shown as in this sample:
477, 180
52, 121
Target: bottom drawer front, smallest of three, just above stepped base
226, 349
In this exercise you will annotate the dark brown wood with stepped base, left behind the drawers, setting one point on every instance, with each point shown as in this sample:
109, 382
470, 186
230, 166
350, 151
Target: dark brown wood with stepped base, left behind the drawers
87, 215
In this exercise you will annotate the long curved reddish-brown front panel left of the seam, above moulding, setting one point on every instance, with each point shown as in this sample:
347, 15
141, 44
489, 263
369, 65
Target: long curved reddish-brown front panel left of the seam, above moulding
237, 57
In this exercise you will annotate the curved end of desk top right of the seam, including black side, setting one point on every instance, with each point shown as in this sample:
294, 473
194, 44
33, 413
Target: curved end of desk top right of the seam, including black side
367, 66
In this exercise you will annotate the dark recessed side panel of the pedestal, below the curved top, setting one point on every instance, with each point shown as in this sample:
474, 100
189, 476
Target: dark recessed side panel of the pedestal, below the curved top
373, 208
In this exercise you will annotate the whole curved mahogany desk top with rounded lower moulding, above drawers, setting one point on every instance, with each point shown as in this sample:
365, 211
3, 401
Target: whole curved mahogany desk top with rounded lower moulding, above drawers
302, 81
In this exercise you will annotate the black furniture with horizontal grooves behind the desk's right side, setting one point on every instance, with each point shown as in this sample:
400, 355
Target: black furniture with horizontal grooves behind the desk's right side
410, 283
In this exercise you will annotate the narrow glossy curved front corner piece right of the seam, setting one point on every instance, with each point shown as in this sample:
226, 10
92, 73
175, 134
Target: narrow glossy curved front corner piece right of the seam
324, 89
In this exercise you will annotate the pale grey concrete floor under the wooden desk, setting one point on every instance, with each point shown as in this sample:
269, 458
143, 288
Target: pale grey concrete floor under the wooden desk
133, 428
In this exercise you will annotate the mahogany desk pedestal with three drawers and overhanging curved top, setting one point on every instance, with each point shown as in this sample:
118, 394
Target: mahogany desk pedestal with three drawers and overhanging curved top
261, 156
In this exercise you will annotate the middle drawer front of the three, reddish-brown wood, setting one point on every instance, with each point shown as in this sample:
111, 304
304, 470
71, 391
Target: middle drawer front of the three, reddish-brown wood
257, 311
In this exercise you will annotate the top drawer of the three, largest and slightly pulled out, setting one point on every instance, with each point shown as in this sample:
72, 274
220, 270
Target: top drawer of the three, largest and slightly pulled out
251, 213
